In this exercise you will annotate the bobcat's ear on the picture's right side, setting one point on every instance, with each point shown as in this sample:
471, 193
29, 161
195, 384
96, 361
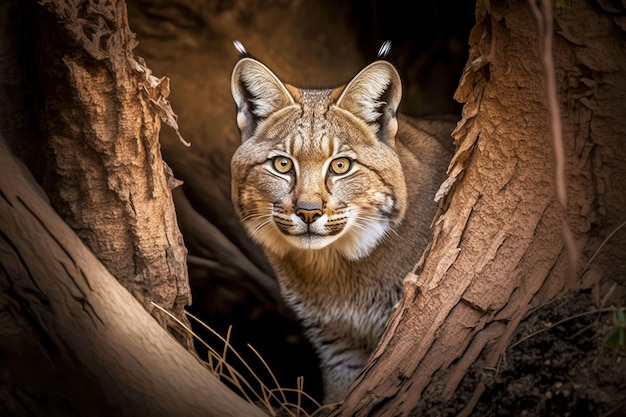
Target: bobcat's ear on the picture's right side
374, 95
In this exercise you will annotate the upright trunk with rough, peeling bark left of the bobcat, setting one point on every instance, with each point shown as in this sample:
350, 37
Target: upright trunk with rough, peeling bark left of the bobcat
100, 115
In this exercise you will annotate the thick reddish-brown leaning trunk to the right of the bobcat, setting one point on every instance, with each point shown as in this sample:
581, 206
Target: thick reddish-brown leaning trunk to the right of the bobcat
497, 248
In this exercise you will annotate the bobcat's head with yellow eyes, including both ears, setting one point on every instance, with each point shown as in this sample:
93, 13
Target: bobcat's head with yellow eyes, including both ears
317, 168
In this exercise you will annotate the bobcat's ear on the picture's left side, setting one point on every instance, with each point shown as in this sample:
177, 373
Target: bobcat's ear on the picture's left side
257, 93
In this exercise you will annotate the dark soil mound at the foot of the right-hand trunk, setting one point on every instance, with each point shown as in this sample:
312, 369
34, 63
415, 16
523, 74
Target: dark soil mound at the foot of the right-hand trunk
558, 364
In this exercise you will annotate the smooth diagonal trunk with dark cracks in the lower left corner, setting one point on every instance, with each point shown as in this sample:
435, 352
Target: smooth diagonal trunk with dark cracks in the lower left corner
73, 342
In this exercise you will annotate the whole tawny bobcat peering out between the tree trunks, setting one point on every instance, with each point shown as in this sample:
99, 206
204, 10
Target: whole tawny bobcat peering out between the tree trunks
339, 191
